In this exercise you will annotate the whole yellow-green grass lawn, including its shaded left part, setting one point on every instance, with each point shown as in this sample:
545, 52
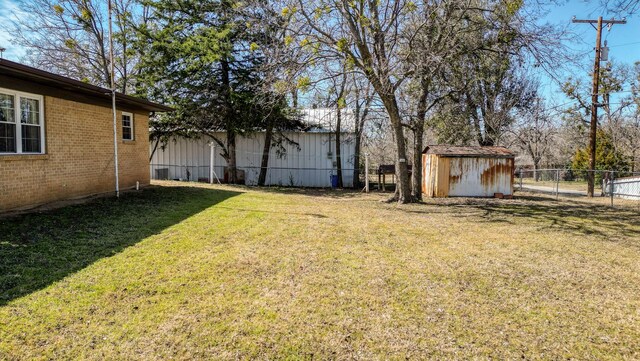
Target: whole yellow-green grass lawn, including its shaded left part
200, 272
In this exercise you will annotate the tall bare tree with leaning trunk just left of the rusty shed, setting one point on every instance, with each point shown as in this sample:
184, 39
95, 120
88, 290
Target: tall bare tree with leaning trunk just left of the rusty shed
367, 34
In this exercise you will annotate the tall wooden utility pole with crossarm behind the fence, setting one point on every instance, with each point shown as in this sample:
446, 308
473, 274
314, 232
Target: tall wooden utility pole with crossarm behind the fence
594, 96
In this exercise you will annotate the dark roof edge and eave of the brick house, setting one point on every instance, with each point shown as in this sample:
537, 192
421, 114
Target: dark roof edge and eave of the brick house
43, 78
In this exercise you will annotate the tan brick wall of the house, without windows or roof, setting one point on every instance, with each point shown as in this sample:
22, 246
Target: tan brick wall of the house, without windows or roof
79, 157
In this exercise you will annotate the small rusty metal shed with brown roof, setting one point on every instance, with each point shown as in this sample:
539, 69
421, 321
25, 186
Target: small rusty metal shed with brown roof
452, 171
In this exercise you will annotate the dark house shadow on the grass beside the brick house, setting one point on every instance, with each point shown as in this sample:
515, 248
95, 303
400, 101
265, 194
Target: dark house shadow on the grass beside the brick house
38, 249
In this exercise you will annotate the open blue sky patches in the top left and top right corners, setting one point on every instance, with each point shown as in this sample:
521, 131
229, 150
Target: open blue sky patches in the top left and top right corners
623, 40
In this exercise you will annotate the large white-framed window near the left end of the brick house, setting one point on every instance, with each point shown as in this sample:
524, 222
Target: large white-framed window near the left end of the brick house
21, 123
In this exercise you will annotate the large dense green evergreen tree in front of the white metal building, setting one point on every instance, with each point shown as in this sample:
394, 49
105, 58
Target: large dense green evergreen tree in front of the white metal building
204, 58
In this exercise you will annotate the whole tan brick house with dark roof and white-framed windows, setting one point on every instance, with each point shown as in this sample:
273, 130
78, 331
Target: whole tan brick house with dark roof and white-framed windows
56, 138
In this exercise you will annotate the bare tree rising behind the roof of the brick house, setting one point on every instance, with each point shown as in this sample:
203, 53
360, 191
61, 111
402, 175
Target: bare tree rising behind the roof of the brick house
69, 37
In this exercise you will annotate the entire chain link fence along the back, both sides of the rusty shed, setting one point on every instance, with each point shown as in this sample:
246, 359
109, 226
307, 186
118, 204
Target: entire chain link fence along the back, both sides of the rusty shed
610, 187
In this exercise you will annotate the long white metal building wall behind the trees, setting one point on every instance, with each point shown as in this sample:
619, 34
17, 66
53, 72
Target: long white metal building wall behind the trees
310, 166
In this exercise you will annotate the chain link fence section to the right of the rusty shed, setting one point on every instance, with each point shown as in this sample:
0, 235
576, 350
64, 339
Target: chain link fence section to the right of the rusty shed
610, 186
